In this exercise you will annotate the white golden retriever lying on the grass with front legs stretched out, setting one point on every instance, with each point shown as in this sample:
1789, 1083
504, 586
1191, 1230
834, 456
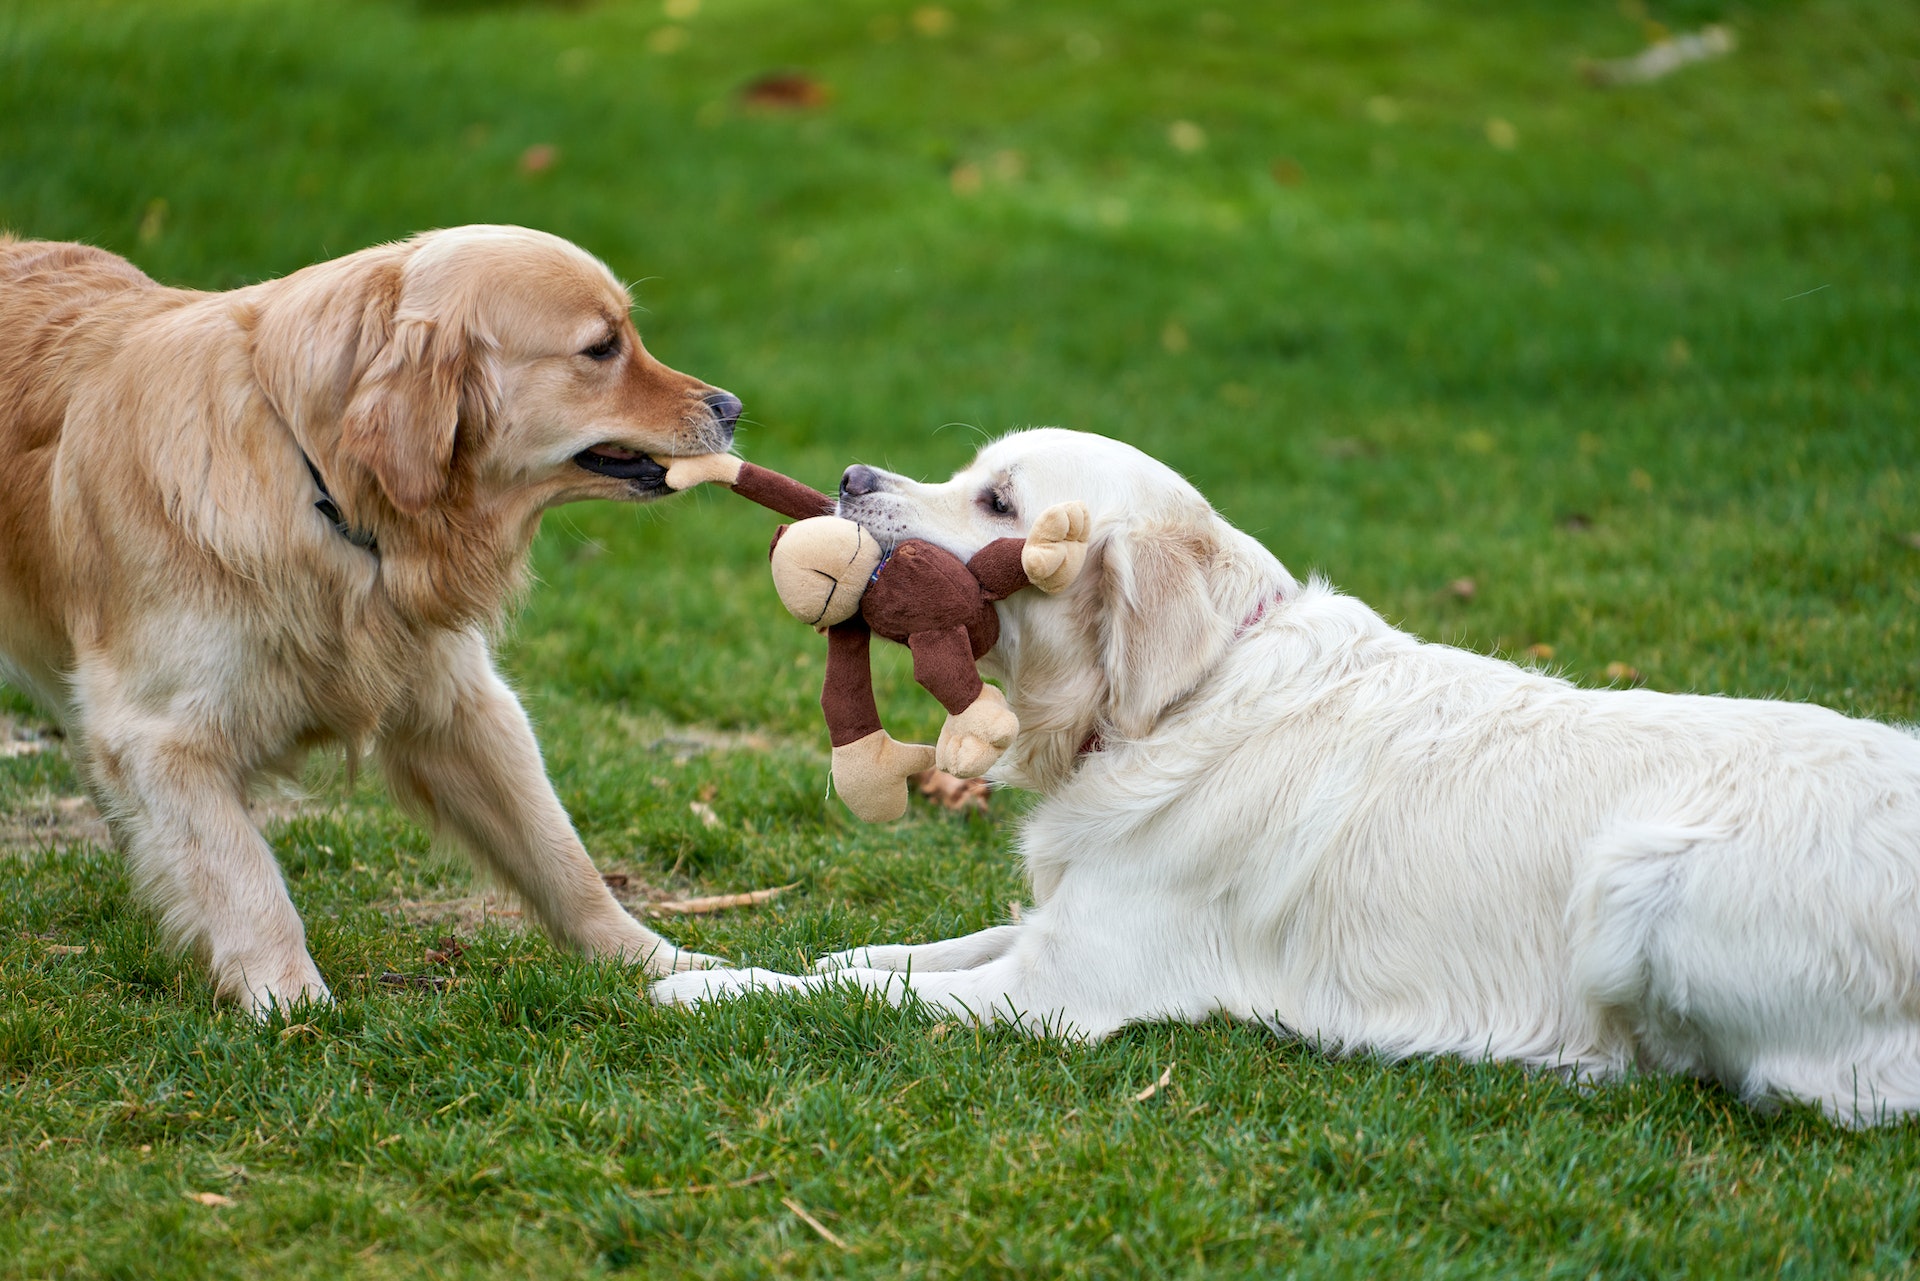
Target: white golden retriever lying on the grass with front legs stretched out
1262, 800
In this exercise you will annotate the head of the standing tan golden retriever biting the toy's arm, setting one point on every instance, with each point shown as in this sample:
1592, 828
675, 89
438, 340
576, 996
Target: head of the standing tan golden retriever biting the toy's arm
481, 366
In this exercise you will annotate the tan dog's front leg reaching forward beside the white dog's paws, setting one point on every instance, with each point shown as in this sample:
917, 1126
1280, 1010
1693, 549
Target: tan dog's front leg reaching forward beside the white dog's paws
469, 763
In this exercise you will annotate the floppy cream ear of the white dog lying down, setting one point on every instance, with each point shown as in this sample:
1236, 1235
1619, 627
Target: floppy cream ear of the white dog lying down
1161, 631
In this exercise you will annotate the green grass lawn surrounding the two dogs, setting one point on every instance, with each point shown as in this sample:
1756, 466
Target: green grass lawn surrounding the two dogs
1648, 377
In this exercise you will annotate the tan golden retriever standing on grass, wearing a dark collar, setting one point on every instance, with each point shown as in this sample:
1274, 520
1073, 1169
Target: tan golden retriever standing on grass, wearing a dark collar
235, 527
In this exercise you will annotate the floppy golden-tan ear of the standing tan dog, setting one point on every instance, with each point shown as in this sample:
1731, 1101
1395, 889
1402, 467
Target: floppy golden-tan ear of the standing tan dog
408, 406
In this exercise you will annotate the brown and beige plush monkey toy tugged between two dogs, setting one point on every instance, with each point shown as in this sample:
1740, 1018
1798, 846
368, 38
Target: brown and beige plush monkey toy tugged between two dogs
834, 575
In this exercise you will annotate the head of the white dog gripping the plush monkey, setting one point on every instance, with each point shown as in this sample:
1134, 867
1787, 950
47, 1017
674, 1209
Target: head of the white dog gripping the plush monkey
1164, 591
